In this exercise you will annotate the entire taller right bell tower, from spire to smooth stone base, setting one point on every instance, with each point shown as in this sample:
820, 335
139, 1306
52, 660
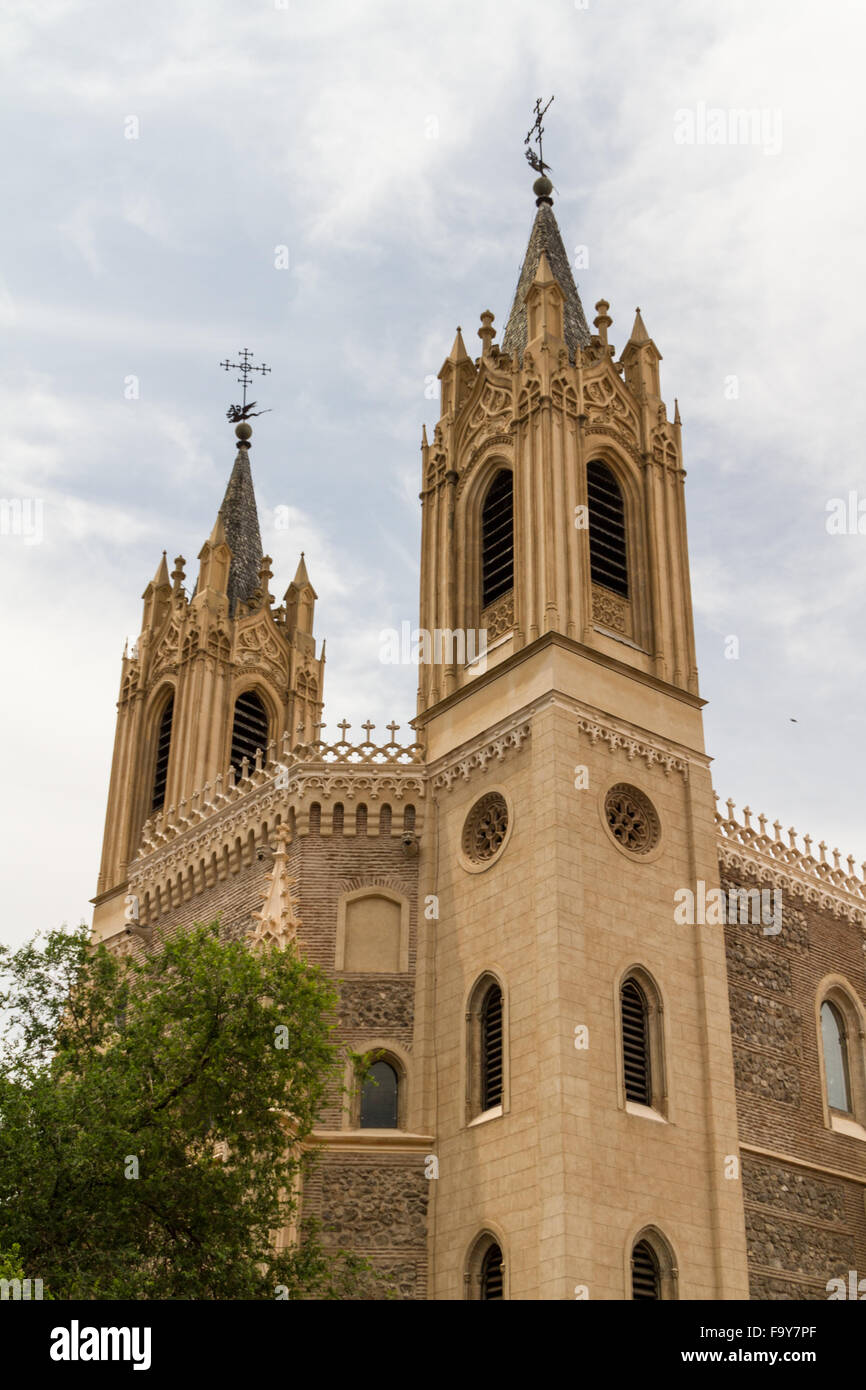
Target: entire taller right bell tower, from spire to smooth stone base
582, 1078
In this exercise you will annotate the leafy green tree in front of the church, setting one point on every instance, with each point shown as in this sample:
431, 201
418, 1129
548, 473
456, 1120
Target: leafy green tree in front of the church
152, 1117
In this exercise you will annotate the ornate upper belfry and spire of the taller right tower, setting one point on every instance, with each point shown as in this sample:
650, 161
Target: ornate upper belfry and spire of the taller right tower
530, 411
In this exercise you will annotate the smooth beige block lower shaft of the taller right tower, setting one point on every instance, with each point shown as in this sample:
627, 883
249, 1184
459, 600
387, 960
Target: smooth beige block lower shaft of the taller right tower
568, 1177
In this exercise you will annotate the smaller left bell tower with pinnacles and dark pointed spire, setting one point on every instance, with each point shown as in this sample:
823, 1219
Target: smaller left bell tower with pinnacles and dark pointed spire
215, 676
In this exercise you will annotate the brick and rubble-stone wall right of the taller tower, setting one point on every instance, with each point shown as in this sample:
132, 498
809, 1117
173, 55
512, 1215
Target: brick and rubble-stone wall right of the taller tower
806, 1209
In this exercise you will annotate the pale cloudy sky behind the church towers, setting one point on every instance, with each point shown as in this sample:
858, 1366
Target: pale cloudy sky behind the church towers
158, 159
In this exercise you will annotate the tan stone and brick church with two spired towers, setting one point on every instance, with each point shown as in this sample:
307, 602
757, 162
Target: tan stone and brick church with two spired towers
621, 1025
